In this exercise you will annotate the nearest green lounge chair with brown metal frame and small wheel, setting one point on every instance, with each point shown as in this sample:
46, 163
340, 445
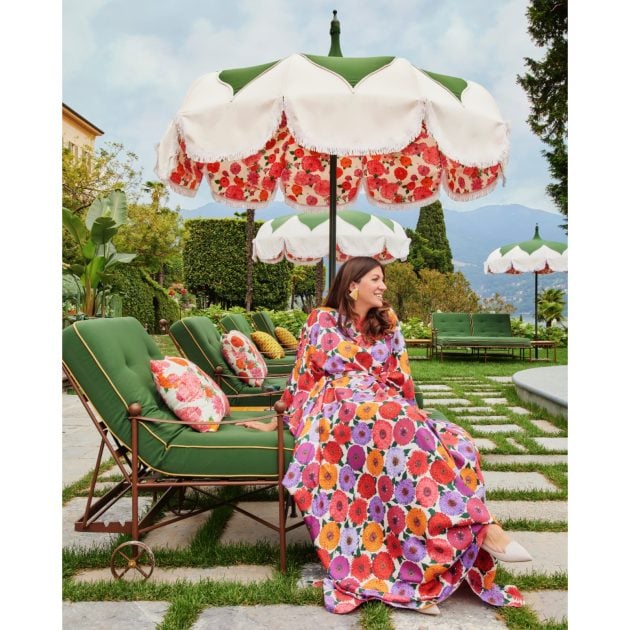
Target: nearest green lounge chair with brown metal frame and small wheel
107, 362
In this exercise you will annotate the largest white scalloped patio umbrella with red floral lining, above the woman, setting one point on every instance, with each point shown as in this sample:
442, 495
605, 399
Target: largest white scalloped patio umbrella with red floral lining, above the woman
320, 128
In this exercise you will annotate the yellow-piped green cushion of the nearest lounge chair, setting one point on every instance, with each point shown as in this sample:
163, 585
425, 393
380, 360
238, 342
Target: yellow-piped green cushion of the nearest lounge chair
109, 359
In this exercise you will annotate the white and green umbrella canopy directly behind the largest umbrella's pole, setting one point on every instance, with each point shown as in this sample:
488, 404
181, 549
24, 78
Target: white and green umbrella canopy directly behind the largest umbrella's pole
303, 238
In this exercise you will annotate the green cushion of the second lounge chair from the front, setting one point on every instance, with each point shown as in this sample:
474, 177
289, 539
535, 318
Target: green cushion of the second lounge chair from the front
200, 341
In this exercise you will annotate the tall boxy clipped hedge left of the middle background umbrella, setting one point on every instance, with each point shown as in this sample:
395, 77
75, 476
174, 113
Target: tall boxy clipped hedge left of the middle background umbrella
215, 264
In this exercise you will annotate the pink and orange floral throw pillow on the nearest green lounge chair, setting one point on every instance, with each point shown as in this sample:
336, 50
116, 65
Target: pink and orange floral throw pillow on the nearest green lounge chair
190, 393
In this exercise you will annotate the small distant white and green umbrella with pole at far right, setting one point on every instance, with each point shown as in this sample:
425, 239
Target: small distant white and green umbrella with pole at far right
535, 256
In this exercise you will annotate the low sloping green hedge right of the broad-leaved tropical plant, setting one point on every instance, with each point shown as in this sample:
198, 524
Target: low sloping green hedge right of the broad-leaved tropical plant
143, 298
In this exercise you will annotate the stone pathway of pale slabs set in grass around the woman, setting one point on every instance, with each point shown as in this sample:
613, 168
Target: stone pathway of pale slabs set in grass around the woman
490, 426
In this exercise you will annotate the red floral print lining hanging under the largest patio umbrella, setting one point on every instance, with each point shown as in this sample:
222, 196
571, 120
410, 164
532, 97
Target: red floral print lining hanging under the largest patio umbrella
409, 177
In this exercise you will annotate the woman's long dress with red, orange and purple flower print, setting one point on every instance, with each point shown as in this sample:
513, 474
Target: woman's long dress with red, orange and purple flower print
393, 499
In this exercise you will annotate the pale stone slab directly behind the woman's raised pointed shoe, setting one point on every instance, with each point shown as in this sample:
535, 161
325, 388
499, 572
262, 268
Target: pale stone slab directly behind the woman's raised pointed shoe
549, 550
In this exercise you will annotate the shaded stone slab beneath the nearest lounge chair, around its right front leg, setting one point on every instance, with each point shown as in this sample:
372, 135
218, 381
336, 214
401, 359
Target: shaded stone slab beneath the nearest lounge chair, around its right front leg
241, 528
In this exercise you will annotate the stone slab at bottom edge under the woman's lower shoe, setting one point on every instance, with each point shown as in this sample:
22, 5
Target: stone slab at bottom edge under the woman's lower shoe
461, 611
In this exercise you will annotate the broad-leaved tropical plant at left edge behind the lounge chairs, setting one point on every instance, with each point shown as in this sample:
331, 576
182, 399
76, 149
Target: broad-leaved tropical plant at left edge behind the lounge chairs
93, 237
